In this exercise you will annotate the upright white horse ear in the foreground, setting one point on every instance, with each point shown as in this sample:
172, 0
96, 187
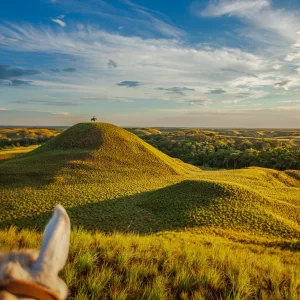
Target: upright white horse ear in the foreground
55, 246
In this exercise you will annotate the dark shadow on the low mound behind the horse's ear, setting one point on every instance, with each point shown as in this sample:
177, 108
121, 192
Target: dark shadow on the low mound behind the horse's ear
165, 209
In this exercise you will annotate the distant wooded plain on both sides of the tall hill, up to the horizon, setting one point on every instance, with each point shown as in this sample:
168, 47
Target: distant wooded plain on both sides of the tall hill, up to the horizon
215, 148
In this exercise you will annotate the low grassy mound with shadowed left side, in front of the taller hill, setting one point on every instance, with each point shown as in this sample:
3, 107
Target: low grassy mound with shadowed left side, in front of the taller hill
188, 204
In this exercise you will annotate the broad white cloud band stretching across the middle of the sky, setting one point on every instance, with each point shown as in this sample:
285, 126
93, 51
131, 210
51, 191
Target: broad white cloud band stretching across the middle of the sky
160, 62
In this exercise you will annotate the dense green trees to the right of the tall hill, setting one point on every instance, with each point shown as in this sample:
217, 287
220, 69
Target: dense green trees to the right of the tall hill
215, 151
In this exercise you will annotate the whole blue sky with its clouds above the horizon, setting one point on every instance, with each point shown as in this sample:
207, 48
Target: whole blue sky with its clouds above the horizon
218, 63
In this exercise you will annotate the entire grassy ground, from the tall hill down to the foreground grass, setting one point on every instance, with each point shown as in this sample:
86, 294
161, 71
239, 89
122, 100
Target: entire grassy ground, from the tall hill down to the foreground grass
184, 233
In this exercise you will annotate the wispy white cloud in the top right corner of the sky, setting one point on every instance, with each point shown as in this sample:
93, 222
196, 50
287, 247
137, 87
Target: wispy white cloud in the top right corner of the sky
275, 30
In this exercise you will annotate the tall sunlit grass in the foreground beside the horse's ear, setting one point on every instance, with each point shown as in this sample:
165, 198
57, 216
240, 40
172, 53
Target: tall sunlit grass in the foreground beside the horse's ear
180, 265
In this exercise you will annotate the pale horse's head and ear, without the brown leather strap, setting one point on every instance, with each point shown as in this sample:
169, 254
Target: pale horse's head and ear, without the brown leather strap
41, 267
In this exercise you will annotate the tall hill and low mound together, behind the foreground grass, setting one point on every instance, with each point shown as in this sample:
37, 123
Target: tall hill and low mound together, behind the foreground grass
109, 180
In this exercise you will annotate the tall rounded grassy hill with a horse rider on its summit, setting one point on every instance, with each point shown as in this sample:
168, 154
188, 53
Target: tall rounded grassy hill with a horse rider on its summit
93, 151
